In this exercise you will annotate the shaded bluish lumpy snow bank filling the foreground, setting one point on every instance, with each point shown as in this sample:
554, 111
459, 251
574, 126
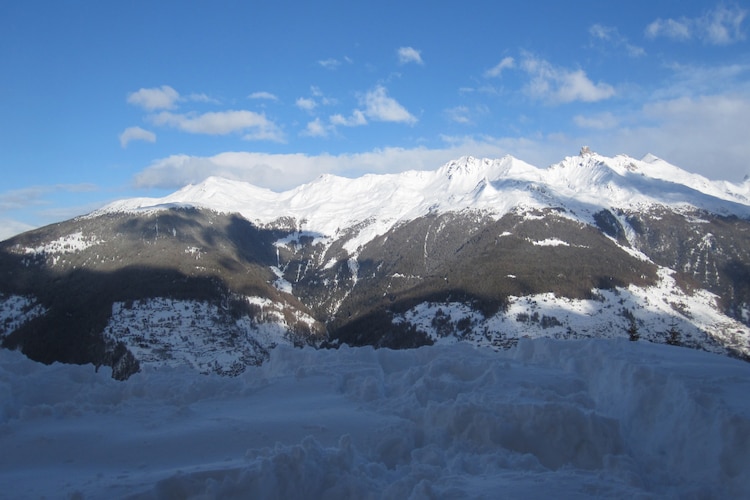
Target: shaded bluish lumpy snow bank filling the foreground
562, 419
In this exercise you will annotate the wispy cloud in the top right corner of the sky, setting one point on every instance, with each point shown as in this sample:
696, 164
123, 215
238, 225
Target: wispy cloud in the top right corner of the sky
720, 26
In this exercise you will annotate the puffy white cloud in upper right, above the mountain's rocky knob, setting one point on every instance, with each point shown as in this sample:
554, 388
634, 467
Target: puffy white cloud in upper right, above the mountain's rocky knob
560, 85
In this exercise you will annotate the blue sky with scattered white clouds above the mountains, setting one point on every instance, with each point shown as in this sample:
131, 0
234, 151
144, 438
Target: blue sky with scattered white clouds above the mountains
106, 100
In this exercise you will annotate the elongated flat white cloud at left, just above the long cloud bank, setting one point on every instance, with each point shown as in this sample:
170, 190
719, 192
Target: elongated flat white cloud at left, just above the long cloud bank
257, 126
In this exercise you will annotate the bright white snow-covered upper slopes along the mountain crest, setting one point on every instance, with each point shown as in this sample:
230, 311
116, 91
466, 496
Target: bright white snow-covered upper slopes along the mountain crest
583, 184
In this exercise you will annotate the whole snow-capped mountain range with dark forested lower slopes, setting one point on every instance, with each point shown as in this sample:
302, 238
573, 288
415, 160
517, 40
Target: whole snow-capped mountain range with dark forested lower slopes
479, 249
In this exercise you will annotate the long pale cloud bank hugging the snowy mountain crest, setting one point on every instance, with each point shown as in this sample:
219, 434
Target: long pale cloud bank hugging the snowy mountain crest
704, 135
